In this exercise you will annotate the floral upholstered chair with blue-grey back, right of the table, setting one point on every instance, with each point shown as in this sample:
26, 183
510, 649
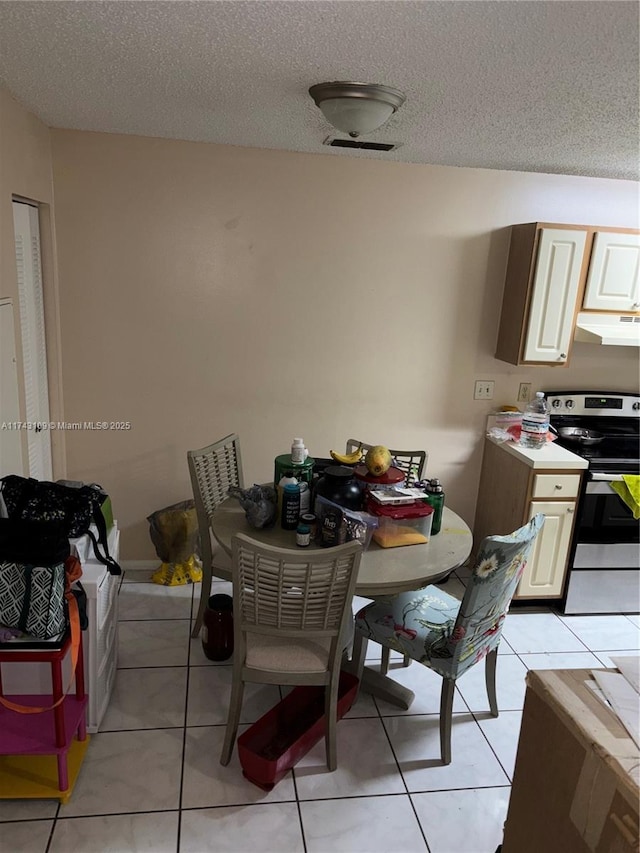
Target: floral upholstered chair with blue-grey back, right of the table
448, 635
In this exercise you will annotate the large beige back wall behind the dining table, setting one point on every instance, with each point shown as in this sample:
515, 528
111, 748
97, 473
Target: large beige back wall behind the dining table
209, 289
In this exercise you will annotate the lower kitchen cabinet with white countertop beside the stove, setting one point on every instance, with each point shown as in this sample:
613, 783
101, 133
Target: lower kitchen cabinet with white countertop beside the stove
515, 485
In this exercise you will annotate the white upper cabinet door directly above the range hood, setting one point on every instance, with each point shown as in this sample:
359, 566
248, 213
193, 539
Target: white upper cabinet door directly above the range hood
613, 282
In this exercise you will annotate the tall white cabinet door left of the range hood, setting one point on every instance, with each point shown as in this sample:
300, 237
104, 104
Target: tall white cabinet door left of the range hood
555, 288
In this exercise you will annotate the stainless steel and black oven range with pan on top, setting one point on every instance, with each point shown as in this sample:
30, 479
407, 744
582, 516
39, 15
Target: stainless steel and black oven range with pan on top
604, 564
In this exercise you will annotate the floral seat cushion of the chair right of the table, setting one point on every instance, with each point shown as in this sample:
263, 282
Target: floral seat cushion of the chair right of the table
418, 624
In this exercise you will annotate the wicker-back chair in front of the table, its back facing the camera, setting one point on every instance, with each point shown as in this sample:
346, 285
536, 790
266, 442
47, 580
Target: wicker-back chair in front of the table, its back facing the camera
292, 619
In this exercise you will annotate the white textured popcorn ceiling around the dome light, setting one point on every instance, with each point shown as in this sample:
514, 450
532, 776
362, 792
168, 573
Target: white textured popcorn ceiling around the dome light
524, 84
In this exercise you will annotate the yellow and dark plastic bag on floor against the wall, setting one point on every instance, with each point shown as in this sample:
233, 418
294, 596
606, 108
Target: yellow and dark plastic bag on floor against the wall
174, 533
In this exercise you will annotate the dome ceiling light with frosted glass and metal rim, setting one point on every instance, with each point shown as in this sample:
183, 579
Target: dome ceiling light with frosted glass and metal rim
356, 108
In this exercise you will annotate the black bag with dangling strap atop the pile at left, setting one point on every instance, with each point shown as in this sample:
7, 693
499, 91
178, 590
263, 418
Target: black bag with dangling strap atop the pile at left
76, 508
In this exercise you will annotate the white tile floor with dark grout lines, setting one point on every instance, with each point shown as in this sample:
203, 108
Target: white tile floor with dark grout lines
151, 779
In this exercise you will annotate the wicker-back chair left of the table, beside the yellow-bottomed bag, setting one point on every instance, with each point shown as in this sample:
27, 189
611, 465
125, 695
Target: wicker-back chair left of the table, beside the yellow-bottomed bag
213, 469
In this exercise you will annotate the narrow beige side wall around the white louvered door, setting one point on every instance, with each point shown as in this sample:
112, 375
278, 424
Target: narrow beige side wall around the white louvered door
25, 171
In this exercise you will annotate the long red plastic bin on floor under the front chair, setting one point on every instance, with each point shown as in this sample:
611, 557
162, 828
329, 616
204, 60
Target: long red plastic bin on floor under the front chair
279, 739
